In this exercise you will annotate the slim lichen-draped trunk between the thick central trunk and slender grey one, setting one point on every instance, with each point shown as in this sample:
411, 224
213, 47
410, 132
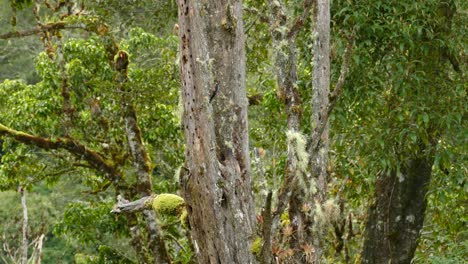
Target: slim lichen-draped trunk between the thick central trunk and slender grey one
285, 58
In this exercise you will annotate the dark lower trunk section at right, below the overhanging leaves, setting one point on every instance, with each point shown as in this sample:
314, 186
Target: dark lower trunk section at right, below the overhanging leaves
397, 216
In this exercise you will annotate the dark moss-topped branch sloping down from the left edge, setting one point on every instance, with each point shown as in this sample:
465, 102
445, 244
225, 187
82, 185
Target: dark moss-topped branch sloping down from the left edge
73, 146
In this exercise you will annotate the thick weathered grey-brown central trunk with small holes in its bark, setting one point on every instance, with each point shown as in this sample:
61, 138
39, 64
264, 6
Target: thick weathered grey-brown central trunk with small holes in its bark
217, 181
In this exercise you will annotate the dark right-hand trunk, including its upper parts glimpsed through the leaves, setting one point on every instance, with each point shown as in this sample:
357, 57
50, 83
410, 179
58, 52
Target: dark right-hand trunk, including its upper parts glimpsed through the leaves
397, 215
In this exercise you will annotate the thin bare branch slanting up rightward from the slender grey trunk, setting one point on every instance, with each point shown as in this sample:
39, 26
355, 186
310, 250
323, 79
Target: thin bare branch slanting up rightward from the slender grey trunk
334, 95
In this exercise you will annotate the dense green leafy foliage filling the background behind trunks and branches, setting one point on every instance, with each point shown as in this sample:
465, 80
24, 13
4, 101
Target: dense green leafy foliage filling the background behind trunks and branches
405, 96
